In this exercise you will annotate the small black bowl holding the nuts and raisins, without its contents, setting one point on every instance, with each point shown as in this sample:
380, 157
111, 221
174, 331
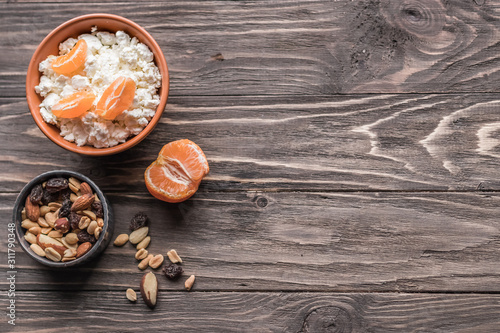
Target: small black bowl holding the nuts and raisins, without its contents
97, 248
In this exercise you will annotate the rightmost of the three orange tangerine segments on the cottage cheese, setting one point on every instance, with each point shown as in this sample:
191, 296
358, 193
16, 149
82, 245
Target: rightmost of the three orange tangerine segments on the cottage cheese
116, 98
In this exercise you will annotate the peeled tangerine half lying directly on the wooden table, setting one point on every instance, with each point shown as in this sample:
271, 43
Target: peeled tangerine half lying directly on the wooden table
177, 172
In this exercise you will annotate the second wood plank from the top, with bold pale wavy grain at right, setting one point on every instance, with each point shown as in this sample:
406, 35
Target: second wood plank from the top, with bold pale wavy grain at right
352, 142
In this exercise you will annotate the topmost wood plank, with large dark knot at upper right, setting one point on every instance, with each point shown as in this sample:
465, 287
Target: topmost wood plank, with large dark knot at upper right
290, 47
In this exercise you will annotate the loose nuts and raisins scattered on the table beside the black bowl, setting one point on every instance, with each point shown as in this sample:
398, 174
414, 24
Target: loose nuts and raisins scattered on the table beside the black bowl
149, 283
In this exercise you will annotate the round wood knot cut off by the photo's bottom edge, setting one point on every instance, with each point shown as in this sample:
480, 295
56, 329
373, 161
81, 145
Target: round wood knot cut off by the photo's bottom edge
331, 319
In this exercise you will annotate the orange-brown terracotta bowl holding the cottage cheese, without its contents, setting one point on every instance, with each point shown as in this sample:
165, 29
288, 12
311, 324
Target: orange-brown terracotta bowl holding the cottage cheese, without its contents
74, 28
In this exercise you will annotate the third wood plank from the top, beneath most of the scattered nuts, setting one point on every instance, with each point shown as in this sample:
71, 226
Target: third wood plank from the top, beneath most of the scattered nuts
300, 241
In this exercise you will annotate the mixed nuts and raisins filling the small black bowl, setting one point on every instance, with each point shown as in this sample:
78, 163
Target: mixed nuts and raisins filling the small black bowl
63, 219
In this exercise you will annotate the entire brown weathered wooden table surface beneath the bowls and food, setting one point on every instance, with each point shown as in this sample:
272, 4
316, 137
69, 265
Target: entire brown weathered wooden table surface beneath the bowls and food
354, 159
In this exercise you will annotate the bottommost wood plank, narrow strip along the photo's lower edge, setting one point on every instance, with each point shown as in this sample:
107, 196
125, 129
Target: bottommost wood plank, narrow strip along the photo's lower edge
257, 312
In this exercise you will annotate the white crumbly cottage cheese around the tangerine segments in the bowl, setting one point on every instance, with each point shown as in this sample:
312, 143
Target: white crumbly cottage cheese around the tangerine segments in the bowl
108, 57
